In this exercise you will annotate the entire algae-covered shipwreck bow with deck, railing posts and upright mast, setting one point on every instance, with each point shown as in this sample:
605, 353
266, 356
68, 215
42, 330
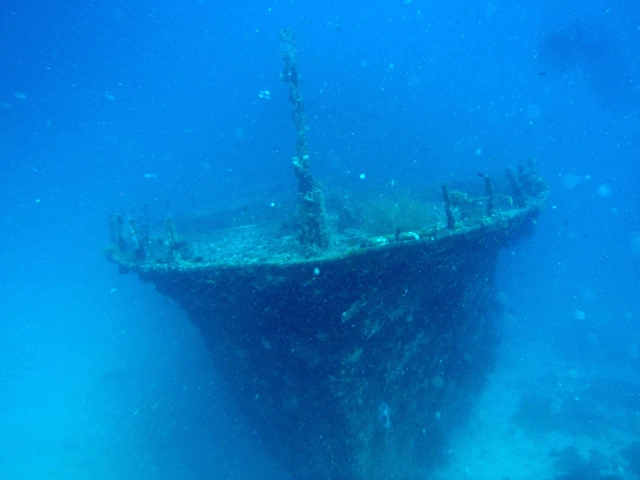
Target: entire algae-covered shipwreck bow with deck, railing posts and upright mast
353, 331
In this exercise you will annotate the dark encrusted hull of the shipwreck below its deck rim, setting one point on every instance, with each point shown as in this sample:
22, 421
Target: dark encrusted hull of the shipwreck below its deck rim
353, 366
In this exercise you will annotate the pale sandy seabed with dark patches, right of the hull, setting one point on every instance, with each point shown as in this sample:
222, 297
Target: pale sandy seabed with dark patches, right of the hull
543, 418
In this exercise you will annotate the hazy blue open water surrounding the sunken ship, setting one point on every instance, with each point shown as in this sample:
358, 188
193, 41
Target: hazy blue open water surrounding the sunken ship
105, 105
